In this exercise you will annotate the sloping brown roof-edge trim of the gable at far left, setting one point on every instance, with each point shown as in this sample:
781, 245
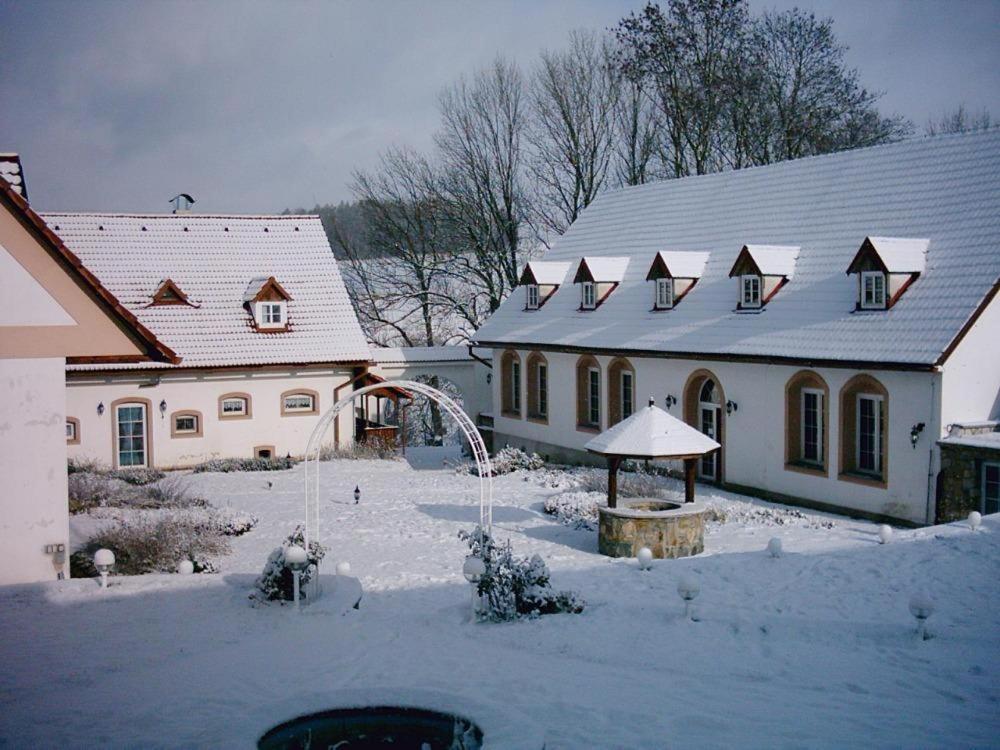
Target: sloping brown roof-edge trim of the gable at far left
125, 320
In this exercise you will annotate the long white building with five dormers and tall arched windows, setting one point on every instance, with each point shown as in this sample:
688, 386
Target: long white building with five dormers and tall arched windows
824, 319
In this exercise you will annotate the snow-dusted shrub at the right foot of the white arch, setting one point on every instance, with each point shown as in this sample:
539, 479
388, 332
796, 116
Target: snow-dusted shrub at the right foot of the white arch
516, 587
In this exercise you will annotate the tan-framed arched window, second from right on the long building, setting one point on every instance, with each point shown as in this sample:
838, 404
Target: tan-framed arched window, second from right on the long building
807, 419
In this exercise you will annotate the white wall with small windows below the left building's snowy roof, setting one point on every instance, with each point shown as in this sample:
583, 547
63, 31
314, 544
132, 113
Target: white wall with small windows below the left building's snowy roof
193, 390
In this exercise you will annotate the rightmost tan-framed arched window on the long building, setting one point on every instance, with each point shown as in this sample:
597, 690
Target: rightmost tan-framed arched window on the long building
864, 421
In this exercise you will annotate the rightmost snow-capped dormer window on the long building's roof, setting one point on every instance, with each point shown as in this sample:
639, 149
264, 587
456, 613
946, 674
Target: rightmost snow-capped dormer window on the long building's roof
886, 266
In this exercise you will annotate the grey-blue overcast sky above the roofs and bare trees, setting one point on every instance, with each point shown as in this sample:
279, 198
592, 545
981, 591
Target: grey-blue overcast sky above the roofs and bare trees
254, 107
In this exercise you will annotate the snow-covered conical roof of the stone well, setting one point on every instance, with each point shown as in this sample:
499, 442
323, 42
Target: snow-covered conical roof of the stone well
652, 433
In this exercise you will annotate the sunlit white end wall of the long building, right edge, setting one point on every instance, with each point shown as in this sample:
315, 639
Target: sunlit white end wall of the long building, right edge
971, 387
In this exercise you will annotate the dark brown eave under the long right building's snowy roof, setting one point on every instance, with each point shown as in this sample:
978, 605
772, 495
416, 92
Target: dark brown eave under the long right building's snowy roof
853, 364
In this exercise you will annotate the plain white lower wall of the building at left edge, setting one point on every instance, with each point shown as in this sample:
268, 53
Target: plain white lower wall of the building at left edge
34, 509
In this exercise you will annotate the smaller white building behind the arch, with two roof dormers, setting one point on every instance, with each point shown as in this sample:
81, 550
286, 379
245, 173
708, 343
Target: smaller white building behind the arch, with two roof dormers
257, 311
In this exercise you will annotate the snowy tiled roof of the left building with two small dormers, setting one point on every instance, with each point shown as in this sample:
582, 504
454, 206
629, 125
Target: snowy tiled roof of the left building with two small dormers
216, 260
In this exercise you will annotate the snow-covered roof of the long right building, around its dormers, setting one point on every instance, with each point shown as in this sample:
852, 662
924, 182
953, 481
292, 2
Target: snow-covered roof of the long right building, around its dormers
944, 188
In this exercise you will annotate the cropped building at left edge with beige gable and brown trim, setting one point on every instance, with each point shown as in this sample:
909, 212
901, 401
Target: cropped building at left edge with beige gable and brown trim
55, 312
